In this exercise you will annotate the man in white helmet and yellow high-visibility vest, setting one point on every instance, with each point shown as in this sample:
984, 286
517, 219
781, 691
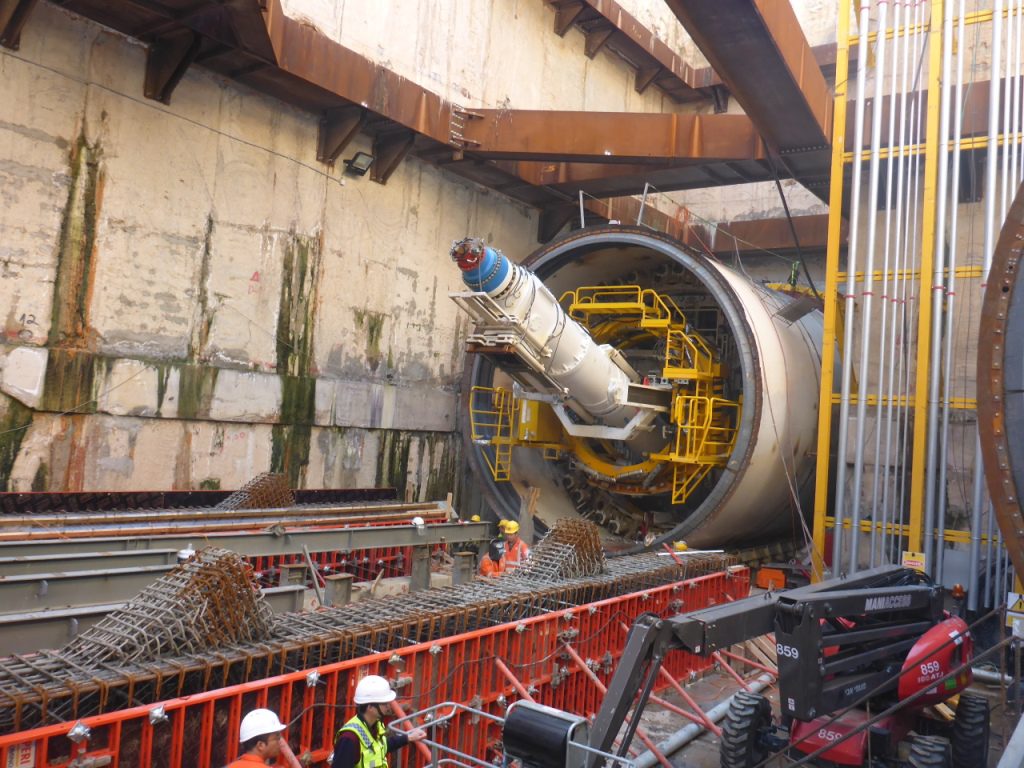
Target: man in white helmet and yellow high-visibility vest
364, 742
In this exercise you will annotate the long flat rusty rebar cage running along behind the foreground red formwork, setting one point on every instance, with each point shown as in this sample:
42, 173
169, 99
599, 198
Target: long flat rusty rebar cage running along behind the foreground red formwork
48, 688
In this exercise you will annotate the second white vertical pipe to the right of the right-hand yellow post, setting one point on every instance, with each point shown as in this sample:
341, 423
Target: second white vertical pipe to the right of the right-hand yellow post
952, 290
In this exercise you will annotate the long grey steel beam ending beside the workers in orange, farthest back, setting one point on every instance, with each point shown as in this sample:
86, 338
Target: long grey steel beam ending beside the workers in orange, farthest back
275, 542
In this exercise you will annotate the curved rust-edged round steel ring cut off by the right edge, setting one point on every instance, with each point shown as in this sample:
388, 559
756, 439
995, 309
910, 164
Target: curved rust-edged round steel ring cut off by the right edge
1001, 382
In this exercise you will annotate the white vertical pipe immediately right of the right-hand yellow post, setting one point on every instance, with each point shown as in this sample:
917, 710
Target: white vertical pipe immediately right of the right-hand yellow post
937, 288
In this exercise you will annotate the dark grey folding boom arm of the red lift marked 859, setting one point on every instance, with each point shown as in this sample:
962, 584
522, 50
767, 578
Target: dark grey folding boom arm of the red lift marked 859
837, 641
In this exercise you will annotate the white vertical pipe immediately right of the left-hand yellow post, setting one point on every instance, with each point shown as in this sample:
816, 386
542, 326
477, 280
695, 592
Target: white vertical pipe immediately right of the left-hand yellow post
851, 269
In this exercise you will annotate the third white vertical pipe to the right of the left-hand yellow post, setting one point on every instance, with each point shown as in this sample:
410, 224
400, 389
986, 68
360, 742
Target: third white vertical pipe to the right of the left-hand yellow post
880, 416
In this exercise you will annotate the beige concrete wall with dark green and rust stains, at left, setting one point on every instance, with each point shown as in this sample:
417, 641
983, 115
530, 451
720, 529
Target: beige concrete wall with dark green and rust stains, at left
190, 298
